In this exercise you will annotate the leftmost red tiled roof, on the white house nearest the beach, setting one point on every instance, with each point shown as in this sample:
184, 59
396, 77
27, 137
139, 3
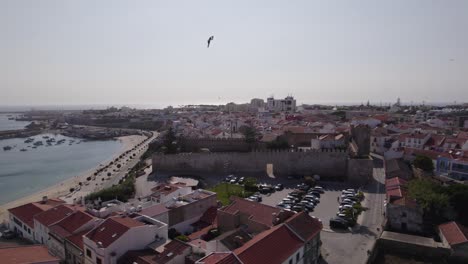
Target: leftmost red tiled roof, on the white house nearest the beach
26, 212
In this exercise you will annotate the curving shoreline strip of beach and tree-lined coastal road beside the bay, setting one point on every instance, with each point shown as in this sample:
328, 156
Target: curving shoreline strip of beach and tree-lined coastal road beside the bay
62, 189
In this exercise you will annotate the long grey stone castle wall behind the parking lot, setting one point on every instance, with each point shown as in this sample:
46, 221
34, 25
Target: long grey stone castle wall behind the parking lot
331, 163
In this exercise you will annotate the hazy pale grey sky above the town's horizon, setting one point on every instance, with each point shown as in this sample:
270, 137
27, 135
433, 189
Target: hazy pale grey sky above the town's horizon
154, 52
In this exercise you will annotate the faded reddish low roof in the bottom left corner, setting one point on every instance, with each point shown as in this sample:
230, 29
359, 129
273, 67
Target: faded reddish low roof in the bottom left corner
27, 254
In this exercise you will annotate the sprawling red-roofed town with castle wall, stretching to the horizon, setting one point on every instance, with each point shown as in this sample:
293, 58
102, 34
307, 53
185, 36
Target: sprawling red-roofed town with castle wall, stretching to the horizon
268, 181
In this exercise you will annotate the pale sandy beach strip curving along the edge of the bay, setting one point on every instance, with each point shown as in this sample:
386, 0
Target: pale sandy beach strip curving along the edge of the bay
62, 189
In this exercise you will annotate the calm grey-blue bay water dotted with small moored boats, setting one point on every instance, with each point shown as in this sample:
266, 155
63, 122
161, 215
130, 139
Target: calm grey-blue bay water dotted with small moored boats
25, 172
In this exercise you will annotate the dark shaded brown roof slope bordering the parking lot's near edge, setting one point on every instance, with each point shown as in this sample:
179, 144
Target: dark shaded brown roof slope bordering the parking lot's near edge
304, 225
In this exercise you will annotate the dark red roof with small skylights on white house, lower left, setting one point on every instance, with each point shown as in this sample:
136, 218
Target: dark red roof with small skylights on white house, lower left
112, 229
